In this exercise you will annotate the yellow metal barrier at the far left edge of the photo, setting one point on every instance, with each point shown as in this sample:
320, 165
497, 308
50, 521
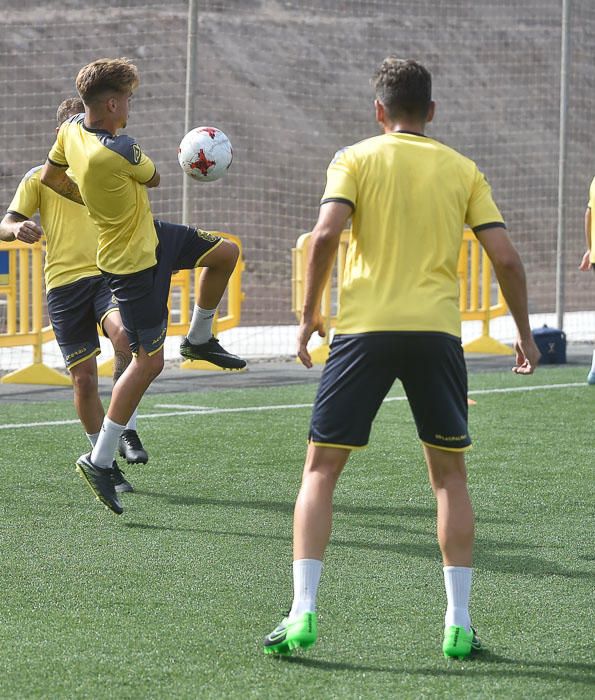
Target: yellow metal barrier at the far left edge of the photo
23, 292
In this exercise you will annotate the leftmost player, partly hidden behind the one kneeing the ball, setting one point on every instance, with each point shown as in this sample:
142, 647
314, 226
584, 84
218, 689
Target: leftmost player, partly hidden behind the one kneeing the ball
78, 297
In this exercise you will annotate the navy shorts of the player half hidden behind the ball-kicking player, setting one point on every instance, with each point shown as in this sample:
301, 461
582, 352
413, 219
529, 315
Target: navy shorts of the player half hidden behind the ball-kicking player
75, 311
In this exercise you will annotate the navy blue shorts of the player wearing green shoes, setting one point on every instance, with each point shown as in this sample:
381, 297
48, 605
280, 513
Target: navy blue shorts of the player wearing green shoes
362, 368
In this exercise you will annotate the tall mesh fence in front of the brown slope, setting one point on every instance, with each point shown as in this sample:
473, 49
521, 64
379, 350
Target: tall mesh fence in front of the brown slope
289, 83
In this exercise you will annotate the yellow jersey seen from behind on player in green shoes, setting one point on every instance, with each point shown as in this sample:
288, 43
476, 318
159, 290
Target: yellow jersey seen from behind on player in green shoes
411, 197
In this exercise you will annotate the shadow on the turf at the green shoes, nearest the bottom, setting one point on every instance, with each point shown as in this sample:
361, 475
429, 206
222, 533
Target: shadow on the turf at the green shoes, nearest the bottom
484, 664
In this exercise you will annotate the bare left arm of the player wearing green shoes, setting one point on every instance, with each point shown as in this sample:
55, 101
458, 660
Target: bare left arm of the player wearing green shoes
323, 248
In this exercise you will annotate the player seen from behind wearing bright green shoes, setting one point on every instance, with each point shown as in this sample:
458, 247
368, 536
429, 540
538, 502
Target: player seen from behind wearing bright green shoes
408, 197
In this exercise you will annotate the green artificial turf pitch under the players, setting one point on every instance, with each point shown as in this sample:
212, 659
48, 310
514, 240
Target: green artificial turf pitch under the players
172, 599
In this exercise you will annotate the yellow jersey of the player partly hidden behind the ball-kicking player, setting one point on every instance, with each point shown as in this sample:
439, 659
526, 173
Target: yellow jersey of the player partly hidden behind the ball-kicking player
71, 235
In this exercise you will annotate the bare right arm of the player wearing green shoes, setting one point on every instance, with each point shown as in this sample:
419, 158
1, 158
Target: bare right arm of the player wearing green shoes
511, 278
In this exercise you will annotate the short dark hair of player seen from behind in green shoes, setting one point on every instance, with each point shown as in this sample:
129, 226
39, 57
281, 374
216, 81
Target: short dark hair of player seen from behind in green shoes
404, 87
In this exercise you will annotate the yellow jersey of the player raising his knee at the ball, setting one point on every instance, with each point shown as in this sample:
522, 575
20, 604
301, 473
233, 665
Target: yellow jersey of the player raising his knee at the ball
110, 172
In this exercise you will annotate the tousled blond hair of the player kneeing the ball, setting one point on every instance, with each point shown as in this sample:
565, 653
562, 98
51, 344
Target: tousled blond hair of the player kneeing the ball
106, 75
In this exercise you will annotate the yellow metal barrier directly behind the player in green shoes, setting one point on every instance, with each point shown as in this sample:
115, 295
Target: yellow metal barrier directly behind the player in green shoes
476, 288
